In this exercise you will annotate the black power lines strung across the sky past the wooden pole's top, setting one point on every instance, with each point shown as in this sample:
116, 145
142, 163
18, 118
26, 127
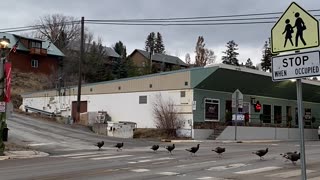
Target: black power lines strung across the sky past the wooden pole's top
175, 21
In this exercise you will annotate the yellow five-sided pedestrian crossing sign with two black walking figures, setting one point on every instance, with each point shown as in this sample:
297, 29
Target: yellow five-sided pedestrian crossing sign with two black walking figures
296, 29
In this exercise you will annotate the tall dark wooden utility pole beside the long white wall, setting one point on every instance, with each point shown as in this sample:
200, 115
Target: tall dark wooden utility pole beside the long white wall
80, 73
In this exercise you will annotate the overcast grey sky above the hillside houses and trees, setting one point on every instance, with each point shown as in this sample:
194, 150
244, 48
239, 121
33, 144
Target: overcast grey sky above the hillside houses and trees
178, 40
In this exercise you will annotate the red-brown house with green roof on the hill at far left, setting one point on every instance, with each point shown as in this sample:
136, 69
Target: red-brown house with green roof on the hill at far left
33, 55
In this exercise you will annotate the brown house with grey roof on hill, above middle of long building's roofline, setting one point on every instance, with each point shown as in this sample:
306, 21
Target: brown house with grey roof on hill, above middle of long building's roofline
160, 62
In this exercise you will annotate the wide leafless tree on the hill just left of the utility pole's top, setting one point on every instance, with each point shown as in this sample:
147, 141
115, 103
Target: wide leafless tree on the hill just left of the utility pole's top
59, 29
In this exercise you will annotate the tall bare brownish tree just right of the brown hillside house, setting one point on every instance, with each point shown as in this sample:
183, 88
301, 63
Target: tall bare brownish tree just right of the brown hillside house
204, 56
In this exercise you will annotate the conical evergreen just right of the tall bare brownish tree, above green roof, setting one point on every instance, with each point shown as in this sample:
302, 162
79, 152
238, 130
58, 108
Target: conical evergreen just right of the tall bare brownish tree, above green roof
231, 54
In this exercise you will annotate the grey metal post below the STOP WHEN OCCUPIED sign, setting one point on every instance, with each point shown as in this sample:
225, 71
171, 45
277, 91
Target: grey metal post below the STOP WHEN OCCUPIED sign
301, 128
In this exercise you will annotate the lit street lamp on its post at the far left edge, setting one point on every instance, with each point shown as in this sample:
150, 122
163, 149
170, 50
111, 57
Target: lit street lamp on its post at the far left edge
4, 42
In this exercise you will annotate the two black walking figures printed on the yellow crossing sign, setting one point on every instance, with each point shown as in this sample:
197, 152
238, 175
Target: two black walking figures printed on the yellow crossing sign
300, 27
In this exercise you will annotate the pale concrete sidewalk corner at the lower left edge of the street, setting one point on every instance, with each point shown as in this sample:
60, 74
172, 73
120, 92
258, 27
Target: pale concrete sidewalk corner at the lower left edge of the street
22, 154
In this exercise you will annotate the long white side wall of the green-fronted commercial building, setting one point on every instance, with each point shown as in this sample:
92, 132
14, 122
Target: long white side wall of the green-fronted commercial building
120, 106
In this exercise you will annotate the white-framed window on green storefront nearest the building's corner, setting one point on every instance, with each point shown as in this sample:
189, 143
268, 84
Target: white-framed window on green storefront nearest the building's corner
212, 109
